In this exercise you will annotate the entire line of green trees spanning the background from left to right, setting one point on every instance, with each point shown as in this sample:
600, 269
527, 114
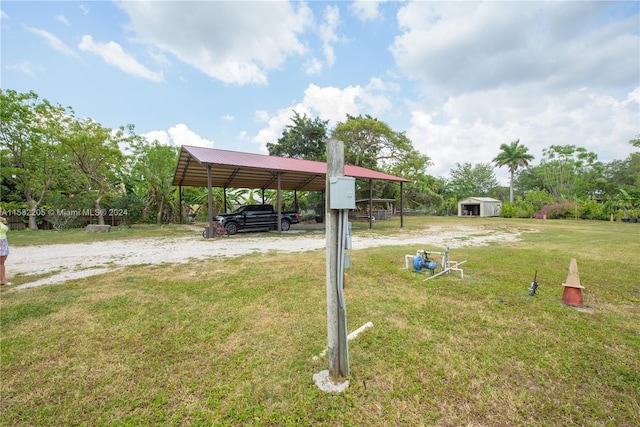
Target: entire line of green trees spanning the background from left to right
56, 165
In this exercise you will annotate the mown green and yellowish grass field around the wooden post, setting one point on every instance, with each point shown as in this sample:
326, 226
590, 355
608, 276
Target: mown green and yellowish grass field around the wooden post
232, 341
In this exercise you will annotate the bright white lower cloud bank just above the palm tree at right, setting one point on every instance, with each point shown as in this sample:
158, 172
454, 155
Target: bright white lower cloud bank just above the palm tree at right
468, 128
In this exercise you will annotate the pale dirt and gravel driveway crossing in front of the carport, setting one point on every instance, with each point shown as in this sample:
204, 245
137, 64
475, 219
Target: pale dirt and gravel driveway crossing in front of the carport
73, 261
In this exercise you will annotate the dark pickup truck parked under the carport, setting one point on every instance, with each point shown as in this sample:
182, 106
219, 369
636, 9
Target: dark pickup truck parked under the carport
257, 217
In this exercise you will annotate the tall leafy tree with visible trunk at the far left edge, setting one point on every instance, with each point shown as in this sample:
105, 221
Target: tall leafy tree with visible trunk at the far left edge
29, 131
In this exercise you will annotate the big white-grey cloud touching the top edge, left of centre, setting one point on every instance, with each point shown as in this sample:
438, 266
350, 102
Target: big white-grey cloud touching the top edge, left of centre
235, 42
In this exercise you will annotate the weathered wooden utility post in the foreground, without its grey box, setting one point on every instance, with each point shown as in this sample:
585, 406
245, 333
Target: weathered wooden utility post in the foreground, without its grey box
337, 350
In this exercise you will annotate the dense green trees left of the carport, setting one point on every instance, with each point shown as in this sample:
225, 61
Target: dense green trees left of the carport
57, 167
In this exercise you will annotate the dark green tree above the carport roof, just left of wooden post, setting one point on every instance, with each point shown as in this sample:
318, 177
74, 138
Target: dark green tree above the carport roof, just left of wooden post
303, 139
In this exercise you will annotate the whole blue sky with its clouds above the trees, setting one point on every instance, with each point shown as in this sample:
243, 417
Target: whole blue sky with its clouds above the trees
460, 78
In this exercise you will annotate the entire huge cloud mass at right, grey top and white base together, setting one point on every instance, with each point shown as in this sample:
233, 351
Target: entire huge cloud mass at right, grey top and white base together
547, 73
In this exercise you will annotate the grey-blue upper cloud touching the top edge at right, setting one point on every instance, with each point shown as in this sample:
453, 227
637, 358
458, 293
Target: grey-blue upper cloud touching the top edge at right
457, 48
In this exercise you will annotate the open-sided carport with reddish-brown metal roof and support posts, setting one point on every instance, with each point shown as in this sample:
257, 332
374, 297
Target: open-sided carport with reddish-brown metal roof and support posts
209, 167
